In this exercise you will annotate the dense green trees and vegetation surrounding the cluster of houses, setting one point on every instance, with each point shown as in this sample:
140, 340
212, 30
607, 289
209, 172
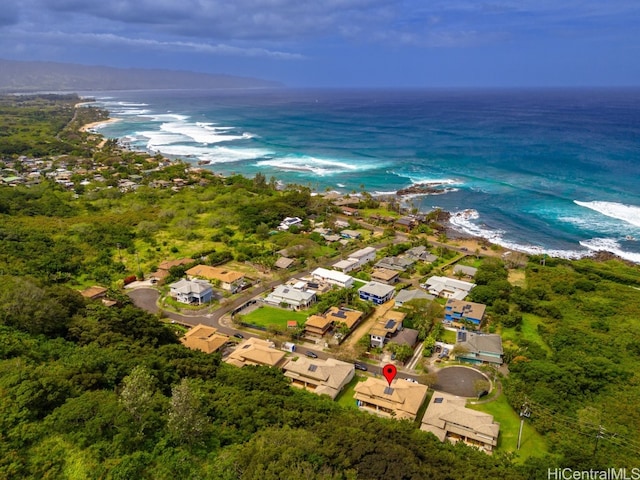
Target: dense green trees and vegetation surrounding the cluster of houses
94, 392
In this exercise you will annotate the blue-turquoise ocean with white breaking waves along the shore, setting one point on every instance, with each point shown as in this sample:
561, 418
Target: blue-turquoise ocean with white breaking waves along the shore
554, 171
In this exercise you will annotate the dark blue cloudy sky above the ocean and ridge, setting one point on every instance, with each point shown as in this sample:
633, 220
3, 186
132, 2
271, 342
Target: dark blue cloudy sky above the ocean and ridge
341, 43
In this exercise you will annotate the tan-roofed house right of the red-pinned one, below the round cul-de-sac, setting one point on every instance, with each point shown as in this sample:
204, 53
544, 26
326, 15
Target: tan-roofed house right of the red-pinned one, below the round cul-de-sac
448, 419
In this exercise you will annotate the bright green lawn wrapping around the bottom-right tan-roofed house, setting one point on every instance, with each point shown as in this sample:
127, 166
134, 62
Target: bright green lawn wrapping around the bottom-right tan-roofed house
532, 444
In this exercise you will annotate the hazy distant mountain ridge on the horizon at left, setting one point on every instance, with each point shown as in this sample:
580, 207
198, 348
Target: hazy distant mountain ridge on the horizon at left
22, 77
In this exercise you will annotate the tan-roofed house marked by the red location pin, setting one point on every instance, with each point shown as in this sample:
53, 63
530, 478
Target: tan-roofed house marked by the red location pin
401, 400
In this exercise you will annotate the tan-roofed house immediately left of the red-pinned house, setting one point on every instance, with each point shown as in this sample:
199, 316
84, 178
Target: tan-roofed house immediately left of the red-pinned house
323, 377
